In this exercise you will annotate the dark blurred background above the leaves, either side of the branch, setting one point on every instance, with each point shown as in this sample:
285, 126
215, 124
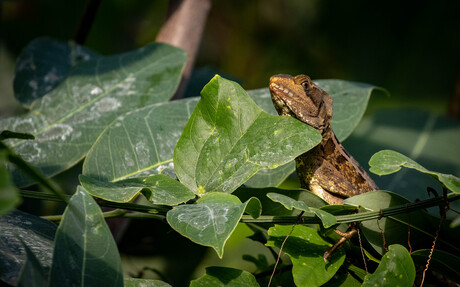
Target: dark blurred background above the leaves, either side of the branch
411, 48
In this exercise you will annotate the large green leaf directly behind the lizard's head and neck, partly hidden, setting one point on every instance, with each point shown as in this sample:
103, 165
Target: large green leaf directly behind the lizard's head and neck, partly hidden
349, 103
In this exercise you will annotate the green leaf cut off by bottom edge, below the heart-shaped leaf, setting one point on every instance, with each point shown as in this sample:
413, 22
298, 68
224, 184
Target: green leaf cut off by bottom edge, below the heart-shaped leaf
225, 277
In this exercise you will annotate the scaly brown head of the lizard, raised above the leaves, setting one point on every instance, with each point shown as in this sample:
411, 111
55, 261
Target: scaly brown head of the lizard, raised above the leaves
299, 97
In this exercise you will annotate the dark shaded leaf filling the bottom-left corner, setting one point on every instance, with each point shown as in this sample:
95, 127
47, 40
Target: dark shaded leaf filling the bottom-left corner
18, 229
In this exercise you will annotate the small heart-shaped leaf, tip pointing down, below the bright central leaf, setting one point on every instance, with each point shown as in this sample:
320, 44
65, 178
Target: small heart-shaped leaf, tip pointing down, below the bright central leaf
212, 219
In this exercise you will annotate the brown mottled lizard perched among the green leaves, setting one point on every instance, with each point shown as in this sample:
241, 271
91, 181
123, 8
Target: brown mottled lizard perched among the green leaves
327, 170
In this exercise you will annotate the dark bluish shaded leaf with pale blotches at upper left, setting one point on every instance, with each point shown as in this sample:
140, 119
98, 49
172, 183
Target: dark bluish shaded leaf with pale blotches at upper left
43, 64
